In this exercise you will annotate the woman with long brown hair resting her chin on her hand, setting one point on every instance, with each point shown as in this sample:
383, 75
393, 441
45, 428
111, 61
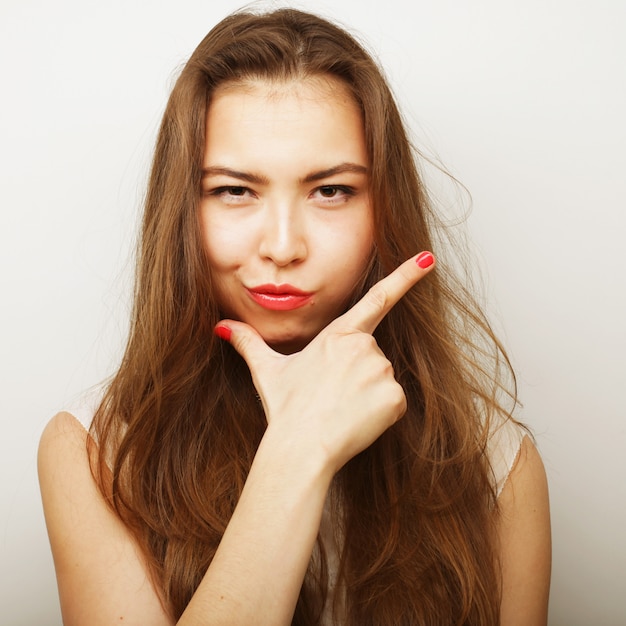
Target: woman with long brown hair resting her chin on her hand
247, 464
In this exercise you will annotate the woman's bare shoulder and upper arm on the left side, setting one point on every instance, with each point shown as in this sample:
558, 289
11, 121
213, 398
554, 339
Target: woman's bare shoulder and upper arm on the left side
100, 572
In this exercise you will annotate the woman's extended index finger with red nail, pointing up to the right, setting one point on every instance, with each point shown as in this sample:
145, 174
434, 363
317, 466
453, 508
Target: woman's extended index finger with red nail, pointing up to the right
370, 310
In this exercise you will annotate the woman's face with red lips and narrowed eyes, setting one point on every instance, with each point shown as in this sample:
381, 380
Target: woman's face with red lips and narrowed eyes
285, 209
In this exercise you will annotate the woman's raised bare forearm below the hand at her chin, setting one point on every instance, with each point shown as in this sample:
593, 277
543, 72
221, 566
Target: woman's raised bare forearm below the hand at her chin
258, 569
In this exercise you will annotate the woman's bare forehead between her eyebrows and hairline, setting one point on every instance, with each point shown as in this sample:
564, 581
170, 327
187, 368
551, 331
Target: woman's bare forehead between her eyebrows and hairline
284, 123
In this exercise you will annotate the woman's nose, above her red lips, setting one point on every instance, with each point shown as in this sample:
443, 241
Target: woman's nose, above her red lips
283, 240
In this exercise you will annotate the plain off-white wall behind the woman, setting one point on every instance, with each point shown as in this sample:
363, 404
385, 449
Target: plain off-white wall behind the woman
523, 101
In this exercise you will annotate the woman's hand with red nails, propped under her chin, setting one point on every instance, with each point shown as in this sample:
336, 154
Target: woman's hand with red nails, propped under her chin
339, 394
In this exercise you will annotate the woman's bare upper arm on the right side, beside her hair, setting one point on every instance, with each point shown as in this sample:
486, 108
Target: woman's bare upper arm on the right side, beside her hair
525, 541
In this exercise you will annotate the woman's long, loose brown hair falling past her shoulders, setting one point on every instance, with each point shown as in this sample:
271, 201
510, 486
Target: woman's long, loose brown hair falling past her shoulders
180, 423
